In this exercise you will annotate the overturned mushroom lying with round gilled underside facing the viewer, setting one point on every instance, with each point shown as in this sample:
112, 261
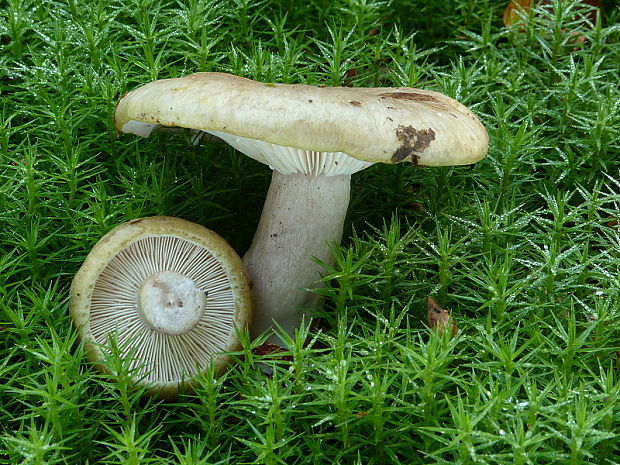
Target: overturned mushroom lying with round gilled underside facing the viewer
172, 292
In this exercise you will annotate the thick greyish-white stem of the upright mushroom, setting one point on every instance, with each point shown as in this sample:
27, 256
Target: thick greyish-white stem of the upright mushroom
301, 216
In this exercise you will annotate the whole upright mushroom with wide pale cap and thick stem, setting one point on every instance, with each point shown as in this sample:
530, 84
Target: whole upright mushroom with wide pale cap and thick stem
313, 138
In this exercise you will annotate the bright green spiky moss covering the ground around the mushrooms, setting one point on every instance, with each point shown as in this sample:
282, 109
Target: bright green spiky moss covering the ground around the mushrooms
523, 248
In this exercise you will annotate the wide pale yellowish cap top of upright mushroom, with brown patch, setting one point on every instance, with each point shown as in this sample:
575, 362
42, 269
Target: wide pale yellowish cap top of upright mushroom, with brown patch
387, 125
